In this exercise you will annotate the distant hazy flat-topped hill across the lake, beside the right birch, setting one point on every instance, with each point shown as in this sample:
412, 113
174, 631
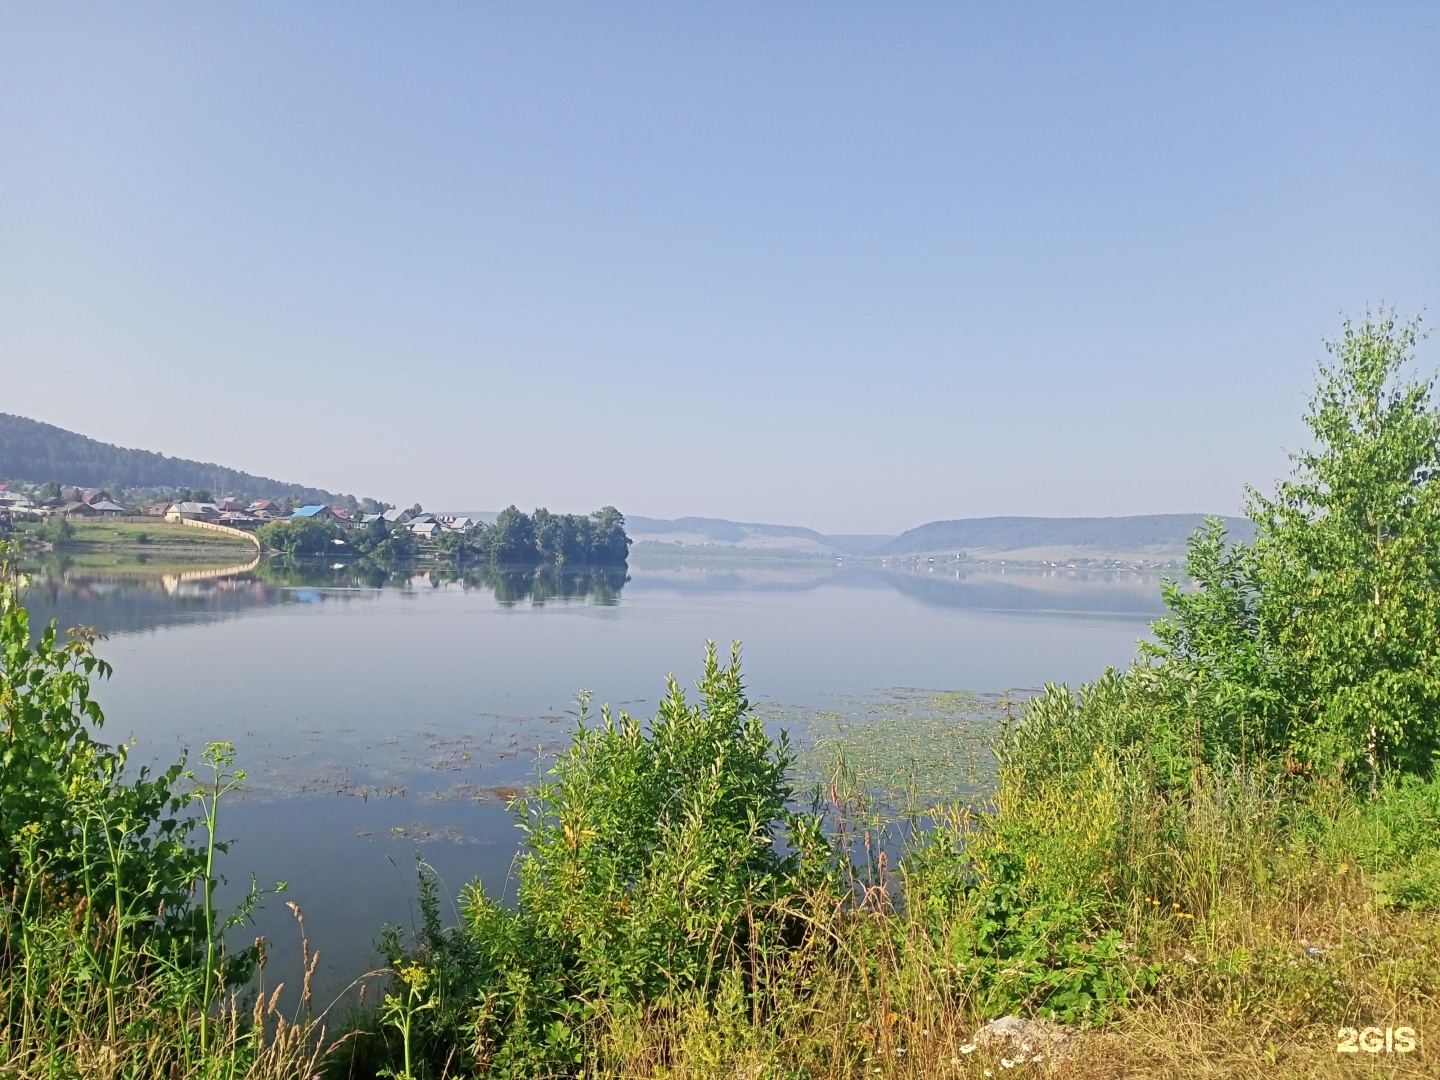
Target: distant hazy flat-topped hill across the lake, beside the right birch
1169, 532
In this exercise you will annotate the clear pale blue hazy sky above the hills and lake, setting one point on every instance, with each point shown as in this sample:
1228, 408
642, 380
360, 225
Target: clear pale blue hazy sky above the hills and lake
845, 266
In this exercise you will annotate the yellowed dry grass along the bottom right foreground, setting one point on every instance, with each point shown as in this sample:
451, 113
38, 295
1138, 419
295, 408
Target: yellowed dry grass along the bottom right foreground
1194, 1027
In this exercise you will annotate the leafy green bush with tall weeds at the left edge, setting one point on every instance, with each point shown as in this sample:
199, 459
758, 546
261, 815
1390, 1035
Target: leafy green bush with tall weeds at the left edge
107, 915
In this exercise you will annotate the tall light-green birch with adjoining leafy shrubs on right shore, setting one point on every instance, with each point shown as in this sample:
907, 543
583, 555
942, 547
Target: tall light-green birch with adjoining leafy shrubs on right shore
1318, 647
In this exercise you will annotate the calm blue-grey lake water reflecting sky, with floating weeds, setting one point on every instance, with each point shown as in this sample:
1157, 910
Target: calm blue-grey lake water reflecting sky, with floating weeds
385, 718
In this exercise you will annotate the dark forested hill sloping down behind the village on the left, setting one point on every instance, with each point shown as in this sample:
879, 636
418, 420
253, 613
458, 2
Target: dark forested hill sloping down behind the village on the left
41, 453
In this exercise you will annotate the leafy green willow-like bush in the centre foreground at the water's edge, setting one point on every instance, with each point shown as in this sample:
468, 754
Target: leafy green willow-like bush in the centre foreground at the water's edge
652, 866
